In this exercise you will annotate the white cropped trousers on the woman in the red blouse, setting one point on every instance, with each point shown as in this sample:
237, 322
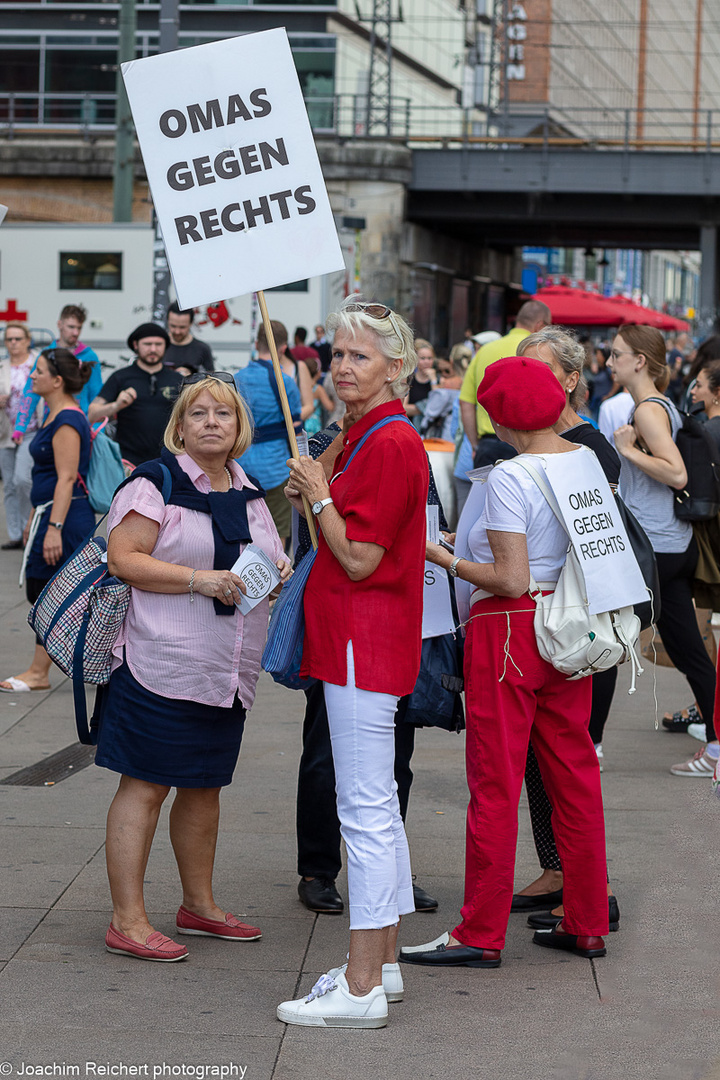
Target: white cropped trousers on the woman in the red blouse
363, 735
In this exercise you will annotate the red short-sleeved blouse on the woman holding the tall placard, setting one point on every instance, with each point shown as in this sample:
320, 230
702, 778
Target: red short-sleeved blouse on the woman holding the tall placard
383, 497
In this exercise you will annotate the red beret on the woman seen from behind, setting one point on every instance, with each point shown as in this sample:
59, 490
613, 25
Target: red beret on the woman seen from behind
522, 394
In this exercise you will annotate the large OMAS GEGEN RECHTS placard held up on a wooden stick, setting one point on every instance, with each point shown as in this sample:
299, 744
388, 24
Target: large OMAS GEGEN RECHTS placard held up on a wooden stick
233, 167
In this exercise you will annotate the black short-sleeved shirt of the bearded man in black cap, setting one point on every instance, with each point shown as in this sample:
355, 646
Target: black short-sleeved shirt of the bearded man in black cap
142, 426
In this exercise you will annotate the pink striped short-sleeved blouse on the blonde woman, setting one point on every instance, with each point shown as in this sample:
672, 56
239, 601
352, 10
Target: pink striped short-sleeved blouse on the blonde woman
181, 650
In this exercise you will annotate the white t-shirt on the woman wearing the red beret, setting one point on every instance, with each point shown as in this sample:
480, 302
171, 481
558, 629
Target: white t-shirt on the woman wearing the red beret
514, 504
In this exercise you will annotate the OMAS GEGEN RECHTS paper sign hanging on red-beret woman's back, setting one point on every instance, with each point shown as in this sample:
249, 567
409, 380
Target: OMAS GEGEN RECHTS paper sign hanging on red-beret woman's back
590, 511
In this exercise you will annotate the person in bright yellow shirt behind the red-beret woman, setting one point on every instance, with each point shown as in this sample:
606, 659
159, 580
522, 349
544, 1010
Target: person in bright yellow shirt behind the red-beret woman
487, 449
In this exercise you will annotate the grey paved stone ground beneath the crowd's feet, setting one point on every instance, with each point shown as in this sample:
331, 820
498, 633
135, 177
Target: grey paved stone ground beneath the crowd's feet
648, 1010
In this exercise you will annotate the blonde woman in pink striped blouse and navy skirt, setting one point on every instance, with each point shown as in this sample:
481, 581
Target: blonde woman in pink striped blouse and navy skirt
187, 661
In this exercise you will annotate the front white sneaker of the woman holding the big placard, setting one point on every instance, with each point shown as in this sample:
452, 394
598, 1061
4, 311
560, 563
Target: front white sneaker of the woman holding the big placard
331, 1005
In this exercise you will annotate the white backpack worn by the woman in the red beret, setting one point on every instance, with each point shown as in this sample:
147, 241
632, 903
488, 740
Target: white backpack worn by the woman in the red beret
569, 638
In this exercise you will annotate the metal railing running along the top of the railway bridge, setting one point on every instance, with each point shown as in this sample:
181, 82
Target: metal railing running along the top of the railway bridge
346, 116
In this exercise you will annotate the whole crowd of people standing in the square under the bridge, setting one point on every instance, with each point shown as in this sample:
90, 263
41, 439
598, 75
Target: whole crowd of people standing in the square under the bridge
395, 428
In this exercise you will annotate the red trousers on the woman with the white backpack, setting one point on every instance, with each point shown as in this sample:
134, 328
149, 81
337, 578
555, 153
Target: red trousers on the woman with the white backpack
513, 696
